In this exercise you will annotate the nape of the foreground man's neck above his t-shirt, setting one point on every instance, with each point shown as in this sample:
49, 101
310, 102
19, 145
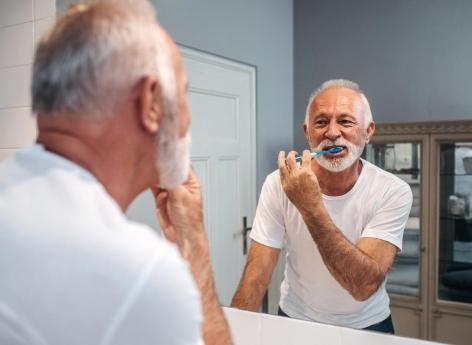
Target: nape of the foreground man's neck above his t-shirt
109, 165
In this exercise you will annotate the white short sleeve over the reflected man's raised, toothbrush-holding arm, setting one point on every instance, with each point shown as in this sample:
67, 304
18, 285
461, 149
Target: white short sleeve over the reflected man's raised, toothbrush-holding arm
391, 215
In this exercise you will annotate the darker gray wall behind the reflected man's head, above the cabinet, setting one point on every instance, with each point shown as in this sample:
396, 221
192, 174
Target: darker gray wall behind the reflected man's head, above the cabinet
412, 58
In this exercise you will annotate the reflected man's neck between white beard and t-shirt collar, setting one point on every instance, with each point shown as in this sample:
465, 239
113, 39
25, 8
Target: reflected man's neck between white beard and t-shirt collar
337, 183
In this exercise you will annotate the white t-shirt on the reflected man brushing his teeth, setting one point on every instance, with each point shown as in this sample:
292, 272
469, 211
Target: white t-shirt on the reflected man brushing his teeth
377, 206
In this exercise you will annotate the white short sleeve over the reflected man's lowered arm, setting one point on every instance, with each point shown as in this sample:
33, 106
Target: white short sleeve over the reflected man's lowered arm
269, 225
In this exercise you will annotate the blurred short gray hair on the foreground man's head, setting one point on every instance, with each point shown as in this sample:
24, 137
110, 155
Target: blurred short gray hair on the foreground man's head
96, 53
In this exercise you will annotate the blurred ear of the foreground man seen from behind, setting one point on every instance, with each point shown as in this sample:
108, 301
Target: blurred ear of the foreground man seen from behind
148, 102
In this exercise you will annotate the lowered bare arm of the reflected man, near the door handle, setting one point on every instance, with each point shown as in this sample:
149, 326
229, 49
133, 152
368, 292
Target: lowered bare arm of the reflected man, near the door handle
256, 277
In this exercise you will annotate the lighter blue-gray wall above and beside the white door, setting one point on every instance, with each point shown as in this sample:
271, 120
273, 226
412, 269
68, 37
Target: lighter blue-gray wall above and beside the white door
258, 33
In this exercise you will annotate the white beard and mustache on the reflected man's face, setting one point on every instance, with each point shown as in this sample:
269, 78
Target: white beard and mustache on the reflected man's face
338, 164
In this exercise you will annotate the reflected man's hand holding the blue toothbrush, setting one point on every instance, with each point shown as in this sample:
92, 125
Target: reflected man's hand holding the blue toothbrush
299, 183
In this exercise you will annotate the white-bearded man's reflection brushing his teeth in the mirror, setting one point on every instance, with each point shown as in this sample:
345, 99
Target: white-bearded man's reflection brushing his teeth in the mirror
342, 220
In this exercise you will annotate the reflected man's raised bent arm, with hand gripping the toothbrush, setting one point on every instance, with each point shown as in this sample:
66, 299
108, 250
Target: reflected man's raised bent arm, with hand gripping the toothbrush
359, 268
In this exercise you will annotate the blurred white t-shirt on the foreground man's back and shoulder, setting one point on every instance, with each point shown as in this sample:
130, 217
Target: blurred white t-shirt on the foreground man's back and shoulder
75, 270
